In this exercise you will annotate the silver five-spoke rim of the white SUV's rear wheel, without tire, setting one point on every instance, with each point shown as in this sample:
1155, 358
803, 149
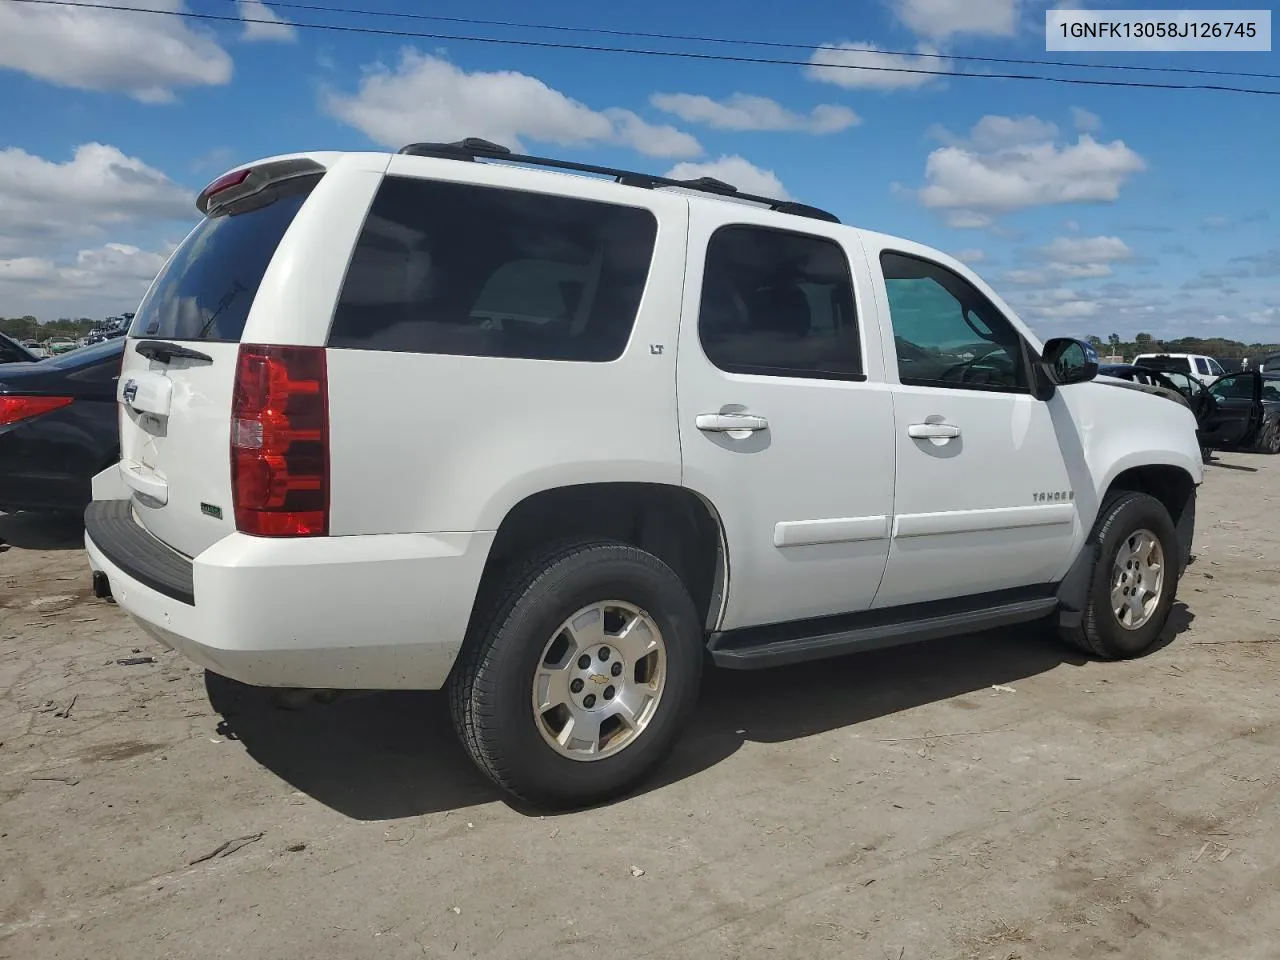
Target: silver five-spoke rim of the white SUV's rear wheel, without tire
600, 680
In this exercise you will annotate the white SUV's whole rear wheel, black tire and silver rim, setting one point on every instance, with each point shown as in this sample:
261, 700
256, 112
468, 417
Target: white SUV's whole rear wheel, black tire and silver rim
579, 673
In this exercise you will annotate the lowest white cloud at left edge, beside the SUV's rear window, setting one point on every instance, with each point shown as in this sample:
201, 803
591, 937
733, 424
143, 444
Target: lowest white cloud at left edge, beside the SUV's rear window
95, 282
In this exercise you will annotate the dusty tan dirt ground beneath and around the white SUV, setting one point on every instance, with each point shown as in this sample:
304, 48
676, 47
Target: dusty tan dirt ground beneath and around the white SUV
988, 797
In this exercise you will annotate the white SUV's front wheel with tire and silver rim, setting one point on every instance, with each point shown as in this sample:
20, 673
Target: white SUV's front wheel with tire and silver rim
1135, 579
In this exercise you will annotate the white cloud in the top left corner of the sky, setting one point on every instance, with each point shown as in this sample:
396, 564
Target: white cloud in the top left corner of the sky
143, 56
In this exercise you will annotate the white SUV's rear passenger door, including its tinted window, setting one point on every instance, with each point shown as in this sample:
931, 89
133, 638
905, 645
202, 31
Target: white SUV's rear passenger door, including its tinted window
787, 424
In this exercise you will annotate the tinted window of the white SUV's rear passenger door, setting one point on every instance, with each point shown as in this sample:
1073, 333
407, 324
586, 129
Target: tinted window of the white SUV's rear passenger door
779, 304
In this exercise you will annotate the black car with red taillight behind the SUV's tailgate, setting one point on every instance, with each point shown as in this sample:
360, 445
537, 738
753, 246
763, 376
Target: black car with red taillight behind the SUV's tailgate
58, 428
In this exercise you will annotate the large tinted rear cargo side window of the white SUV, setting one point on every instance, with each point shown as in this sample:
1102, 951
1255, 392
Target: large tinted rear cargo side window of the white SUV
467, 271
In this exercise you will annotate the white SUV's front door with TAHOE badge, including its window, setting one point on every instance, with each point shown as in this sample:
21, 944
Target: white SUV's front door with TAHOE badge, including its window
984, 500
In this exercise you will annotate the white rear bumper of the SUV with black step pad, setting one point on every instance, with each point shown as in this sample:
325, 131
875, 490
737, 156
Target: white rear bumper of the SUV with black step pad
381, 612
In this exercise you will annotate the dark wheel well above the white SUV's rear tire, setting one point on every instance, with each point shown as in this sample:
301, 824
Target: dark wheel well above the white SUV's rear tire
671, 523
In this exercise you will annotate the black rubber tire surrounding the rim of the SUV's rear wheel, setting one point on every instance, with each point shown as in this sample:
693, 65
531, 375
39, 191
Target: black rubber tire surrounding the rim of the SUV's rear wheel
518, 614
